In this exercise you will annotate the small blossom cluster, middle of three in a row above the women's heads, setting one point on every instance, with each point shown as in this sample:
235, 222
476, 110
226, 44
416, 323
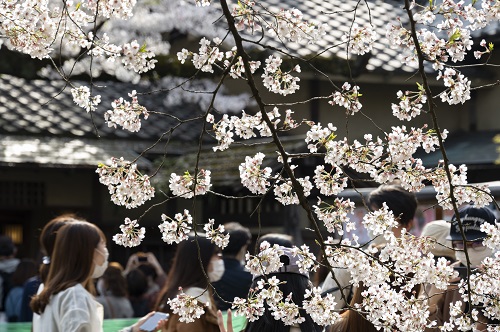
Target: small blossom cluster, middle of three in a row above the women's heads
176, 229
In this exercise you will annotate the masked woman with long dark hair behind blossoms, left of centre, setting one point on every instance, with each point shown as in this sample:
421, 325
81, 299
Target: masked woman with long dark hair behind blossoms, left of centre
195, 259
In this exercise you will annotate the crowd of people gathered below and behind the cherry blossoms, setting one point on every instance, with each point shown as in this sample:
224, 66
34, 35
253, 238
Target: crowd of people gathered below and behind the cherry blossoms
76, 286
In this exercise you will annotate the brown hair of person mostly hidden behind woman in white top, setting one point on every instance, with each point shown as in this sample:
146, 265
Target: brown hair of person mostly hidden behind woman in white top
48, 239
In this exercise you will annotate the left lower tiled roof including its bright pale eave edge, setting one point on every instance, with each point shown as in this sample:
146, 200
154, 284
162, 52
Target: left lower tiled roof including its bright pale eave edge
39, 123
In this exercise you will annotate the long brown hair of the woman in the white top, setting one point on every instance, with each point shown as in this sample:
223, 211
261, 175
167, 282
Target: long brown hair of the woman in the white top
72, 261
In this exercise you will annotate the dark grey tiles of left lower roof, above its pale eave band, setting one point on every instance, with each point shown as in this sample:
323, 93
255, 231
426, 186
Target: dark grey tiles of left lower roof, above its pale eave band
46, 108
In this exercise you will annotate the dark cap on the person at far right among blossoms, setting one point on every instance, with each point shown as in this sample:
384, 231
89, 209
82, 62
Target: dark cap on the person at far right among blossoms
472, 218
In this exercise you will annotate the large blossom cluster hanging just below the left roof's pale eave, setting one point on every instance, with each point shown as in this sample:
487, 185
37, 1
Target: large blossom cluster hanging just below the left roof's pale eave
127, 186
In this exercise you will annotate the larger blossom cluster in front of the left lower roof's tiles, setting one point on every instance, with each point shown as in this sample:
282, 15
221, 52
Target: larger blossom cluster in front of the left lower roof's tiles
126, 114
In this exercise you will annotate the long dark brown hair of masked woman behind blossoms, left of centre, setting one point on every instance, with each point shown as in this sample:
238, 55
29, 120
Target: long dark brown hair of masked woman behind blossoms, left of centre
186, 270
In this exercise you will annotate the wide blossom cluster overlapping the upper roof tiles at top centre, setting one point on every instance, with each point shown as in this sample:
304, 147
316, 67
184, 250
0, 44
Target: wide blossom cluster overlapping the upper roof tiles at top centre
289, 25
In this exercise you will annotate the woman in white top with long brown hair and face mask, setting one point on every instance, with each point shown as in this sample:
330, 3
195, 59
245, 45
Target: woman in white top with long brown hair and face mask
67, 301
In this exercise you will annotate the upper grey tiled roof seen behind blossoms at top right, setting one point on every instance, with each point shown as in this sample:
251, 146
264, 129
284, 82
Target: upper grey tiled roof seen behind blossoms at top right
339, 16
